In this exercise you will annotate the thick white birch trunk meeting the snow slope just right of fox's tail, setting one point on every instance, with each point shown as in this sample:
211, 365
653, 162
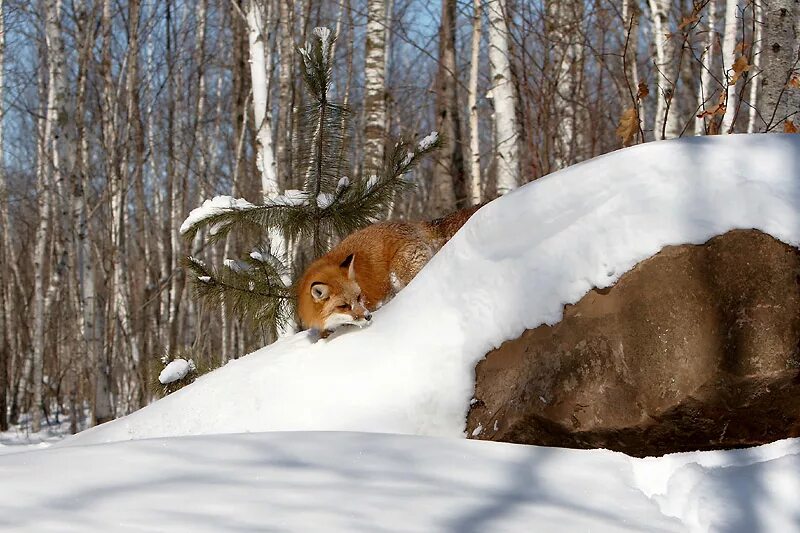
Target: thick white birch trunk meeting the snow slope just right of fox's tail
504, 99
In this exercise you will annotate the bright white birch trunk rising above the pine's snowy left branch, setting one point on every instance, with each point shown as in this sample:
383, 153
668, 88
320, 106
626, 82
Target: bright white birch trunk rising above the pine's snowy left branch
260, 55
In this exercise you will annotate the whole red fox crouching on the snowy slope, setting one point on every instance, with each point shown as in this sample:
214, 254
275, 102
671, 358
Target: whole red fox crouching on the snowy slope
367, 268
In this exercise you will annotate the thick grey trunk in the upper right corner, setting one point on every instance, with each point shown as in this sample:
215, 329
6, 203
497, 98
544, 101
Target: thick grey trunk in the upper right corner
779, 102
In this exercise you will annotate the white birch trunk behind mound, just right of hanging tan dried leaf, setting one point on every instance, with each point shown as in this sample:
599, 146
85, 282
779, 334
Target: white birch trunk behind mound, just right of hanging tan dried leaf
666, 67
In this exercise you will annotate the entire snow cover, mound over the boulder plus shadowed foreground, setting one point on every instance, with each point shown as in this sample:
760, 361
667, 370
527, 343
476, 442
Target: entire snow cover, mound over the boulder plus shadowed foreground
512, 267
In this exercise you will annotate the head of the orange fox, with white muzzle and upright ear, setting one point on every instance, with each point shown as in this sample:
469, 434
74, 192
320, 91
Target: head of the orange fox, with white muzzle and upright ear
334, 298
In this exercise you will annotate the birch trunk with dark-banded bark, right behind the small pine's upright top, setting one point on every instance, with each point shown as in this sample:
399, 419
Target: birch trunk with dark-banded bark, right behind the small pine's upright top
375, 87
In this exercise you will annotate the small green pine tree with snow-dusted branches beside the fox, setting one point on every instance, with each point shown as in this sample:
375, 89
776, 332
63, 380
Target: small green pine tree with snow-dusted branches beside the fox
258, 288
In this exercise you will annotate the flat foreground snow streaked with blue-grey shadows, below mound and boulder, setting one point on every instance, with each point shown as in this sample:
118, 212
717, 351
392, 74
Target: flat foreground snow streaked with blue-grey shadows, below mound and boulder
368, 482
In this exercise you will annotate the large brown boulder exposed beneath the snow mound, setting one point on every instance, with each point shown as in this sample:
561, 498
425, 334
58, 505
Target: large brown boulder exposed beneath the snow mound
697, 347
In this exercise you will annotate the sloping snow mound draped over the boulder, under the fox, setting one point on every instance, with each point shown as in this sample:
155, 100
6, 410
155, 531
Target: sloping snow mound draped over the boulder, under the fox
513, 266
